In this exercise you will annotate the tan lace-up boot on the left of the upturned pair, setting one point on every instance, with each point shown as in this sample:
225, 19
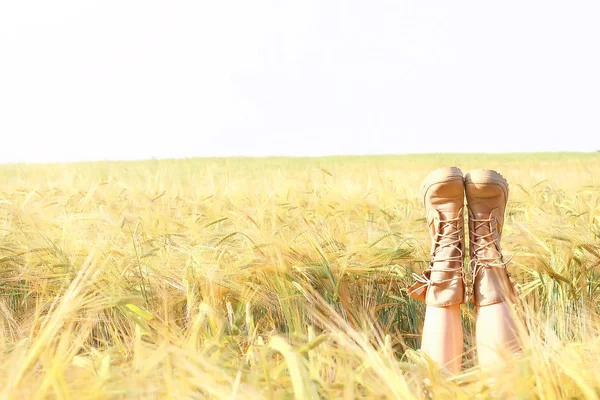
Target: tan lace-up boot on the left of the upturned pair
443, 284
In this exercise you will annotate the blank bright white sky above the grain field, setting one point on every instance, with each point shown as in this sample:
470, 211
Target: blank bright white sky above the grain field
94, 80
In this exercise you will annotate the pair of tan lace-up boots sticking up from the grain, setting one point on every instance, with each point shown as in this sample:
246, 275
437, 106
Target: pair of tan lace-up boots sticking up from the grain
444, 284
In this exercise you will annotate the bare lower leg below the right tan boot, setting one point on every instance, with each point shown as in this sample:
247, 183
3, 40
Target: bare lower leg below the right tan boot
496, 334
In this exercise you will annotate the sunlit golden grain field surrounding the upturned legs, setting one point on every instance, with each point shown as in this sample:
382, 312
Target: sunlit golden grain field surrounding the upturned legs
279, 278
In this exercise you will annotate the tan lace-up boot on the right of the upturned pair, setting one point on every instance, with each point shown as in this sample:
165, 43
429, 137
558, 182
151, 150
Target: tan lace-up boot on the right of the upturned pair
487, 194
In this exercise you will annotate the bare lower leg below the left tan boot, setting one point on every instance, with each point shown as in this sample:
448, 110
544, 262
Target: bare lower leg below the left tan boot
443, 337
